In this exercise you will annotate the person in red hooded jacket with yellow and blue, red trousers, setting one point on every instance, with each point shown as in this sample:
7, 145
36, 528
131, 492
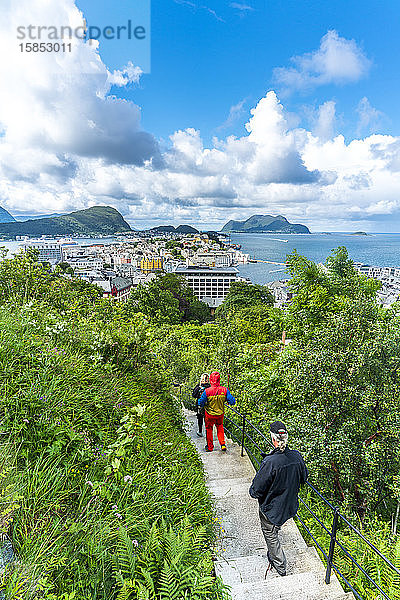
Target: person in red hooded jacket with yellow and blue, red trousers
213, 399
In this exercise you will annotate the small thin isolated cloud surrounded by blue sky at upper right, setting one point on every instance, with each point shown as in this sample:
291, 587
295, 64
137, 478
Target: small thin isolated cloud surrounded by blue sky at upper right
336, 61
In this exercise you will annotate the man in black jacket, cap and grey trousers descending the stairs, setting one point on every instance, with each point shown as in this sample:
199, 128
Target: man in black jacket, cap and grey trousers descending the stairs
276, 487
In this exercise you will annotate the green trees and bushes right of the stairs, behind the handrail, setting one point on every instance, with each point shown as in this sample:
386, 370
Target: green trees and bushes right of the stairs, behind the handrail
336, 386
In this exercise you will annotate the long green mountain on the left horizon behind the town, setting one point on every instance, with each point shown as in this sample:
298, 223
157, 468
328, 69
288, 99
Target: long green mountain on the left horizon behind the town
97, 220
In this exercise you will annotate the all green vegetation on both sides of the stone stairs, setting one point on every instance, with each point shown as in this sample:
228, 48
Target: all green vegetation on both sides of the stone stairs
102, 494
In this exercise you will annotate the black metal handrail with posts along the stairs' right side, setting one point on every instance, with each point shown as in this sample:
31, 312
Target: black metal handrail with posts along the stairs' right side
337, 515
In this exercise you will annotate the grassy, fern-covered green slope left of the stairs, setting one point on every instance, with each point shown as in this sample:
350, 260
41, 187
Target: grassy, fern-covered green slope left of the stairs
101, 492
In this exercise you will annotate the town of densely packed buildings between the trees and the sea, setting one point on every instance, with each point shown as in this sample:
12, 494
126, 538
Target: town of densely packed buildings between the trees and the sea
207, 261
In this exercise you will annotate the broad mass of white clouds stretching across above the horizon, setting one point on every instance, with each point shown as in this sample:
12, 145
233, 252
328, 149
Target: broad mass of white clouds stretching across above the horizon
68, 144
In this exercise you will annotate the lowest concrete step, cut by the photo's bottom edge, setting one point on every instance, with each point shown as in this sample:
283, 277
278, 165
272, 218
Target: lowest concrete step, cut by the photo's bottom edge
299, 586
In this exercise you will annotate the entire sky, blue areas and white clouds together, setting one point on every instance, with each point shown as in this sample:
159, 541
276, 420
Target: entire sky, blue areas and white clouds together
225, 109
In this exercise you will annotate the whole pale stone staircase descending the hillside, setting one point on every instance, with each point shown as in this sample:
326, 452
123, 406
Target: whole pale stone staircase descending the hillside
241, 553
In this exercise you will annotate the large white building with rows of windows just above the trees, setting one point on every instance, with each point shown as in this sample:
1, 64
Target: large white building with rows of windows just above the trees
209, 285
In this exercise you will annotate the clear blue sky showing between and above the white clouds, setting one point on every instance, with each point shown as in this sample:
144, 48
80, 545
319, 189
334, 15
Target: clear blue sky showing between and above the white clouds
205, 63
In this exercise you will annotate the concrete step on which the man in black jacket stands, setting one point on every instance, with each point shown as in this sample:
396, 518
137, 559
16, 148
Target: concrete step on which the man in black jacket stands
252, 568
